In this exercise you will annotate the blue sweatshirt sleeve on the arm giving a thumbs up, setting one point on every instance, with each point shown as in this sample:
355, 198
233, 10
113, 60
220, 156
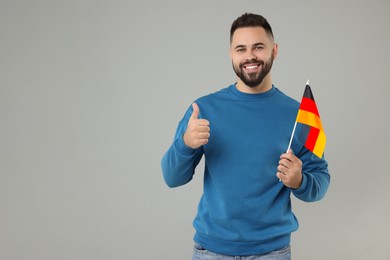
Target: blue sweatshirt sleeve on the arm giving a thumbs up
179, 162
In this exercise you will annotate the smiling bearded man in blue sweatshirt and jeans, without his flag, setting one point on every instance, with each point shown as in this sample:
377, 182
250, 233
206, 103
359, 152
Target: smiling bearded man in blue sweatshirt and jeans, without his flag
242, 131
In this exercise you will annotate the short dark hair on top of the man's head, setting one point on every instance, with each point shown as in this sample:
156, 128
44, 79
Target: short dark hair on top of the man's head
251, 20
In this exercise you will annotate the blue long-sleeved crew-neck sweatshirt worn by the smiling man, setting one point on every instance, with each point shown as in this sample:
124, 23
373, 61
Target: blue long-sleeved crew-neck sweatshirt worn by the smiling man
244, 209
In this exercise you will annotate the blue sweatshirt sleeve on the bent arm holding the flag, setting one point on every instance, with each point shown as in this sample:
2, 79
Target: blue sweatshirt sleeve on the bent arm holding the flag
315, 178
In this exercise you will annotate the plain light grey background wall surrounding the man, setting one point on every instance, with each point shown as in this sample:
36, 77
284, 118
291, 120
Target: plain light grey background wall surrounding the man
91, 93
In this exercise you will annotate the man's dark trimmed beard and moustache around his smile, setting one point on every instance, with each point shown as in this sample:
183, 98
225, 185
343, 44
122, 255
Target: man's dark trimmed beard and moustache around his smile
254, 79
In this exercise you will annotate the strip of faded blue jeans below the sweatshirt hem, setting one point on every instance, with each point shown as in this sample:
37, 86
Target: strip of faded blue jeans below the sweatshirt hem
203, 254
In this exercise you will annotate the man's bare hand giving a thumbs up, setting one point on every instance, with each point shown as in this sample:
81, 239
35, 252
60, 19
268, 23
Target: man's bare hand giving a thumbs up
198, 130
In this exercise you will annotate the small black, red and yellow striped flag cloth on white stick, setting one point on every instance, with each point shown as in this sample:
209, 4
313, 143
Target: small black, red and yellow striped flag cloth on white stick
309, 116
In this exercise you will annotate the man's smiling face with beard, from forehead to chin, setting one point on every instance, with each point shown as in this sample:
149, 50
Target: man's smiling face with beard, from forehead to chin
252, 52
